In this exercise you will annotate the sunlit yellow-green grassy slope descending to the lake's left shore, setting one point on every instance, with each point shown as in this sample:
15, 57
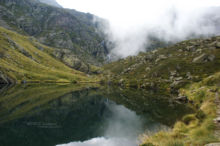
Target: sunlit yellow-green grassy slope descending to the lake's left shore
22, 59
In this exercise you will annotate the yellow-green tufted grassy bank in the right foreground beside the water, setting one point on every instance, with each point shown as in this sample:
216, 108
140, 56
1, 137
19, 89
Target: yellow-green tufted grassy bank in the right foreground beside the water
195, 129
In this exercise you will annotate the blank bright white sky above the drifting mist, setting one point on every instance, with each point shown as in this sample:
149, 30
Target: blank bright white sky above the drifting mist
138, 10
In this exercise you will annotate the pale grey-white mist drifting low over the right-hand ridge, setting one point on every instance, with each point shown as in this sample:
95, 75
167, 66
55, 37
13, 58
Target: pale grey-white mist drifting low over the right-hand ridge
170, 25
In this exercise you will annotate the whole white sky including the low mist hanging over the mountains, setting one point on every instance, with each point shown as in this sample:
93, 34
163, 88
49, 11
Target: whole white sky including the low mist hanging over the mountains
131, 21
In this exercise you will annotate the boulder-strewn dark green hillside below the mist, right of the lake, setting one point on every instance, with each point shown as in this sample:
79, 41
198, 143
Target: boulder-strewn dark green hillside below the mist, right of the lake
168, 68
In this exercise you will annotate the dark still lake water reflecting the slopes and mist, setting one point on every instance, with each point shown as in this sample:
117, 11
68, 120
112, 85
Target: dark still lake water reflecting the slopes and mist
82, 115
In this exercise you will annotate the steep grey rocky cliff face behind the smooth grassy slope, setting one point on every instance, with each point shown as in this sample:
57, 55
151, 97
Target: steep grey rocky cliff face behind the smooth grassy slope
56, 27
